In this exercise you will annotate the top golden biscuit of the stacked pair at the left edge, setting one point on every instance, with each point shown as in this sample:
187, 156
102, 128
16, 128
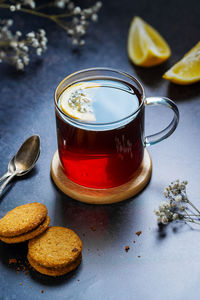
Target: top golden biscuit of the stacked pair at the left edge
22, 219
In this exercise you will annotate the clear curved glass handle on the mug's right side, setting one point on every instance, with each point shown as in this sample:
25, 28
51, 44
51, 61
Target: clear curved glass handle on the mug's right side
163, 134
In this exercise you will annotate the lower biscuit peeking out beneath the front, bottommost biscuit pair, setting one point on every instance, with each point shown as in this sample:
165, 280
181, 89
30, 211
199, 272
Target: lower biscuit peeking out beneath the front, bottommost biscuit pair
55, 271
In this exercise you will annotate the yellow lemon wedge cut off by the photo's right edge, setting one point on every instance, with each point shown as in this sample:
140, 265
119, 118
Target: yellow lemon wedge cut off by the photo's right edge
187, 70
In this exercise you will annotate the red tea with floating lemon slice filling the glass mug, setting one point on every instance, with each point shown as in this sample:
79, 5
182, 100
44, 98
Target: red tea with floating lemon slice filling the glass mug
104, 148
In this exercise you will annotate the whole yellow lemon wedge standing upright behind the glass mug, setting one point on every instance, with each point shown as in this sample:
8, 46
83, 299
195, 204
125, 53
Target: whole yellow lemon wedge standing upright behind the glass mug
146, 47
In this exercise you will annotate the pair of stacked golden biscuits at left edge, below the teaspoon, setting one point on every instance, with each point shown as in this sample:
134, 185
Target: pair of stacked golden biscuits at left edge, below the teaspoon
24, 223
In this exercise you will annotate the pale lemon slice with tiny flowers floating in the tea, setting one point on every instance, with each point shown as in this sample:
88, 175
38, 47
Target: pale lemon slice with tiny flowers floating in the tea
76, 103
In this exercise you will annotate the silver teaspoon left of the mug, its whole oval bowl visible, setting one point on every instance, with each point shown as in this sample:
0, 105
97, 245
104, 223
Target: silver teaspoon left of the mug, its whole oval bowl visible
25, 159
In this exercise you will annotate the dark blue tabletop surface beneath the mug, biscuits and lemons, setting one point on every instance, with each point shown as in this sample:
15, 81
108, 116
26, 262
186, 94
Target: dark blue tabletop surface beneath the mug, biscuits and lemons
160, 264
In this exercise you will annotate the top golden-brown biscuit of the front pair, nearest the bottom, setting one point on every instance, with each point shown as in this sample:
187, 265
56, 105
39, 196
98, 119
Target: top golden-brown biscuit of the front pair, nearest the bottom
57, 247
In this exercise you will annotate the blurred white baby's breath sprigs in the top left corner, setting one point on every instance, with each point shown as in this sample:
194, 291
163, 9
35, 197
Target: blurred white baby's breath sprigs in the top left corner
74, 20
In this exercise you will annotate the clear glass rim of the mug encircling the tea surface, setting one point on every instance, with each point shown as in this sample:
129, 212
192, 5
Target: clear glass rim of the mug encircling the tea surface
88, 124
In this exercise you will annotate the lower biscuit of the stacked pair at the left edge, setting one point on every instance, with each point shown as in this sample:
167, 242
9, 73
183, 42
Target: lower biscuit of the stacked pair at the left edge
29, 235
